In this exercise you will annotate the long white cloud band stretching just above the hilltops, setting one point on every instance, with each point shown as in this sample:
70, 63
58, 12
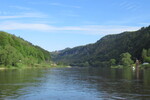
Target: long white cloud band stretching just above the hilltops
87, 29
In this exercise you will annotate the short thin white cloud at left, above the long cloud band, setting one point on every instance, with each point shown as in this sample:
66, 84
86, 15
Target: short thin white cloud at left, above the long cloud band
24, 15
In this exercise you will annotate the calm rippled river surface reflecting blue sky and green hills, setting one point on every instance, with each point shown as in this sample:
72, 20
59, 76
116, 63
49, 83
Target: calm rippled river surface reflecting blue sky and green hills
74, 84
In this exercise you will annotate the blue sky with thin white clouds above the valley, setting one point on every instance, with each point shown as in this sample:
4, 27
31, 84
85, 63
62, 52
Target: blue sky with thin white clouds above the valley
57, 24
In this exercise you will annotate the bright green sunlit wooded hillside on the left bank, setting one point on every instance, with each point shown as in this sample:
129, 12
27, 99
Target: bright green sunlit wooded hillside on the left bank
15, 51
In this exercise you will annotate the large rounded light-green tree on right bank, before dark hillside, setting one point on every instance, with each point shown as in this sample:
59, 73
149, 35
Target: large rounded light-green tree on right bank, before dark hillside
126, 59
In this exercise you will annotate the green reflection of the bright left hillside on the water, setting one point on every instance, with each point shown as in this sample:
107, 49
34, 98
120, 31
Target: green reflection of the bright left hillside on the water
13, 80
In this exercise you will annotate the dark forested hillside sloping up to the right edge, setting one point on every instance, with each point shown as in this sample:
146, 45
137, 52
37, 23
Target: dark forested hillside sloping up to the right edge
124, 47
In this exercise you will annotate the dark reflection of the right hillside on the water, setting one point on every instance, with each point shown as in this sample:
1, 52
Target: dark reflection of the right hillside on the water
123, 83
